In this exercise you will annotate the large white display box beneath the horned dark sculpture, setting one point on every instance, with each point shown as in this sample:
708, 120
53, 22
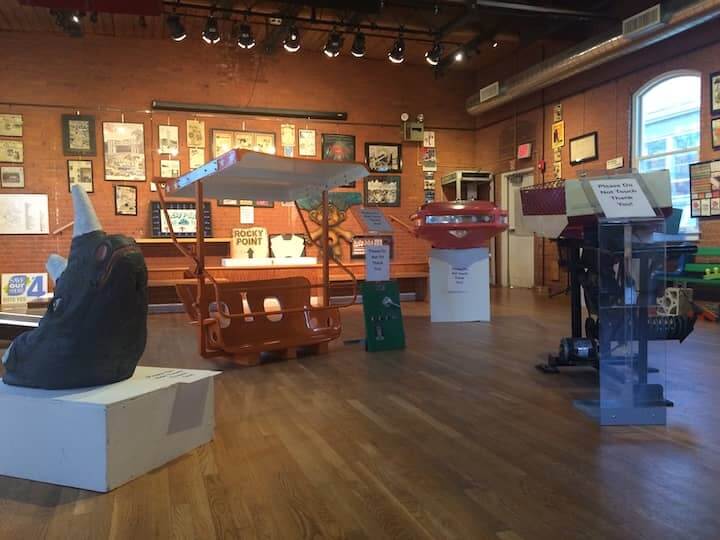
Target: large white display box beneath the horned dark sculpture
102, 437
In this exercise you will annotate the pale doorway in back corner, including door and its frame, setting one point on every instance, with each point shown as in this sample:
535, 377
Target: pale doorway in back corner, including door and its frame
517, 257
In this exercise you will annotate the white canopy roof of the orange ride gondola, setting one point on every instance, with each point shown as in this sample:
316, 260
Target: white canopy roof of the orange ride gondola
243, 174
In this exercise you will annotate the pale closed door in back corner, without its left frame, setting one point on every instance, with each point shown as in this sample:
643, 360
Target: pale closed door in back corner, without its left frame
520, 246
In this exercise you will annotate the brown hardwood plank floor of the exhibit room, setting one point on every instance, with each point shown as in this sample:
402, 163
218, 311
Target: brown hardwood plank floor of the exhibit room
456, 437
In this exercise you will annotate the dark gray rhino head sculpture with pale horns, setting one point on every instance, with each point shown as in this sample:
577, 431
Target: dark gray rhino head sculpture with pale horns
95, 329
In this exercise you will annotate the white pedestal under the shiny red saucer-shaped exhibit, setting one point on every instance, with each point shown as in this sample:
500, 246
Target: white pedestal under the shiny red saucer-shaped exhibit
459, 285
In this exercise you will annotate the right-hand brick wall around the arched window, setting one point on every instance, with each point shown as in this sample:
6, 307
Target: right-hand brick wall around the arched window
599, 100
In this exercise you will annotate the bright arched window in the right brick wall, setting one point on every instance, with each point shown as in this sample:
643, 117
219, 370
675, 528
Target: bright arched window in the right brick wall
666, 133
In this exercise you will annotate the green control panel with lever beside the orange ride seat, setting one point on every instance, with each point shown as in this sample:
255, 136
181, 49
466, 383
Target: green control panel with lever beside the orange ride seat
383, 316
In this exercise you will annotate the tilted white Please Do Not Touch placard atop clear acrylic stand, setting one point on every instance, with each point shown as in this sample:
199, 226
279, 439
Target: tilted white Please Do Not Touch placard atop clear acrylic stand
622, 198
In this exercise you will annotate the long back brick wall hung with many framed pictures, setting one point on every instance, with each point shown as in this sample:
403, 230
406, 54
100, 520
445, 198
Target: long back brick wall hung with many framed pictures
111, 77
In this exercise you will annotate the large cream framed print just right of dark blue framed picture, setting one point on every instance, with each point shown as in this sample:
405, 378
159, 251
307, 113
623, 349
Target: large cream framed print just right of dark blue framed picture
124, 145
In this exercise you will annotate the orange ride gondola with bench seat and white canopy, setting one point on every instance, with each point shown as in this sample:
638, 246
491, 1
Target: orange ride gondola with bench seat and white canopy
244, 319
